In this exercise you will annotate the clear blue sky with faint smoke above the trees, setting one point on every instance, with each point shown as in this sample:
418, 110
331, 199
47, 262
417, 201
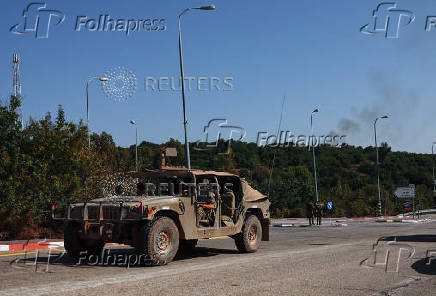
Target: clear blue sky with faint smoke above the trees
311, 52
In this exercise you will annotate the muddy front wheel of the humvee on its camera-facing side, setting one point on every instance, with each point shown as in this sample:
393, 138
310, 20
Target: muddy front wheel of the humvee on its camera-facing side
159, 241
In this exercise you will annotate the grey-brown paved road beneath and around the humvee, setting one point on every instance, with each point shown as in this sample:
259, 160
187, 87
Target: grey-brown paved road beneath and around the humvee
297, 261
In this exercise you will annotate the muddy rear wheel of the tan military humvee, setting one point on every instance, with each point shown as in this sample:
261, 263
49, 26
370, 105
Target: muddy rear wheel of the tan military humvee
248, 240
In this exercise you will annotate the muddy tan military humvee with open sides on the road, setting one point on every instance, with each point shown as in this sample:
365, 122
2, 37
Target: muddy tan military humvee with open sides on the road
171, 209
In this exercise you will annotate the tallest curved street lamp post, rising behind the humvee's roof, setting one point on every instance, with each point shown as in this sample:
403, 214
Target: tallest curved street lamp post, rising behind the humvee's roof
182, 72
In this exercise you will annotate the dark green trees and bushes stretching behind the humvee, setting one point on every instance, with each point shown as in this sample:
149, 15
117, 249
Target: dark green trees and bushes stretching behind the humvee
48, 160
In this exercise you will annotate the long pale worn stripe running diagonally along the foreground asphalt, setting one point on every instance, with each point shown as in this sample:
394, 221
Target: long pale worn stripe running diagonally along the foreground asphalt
150, 273
